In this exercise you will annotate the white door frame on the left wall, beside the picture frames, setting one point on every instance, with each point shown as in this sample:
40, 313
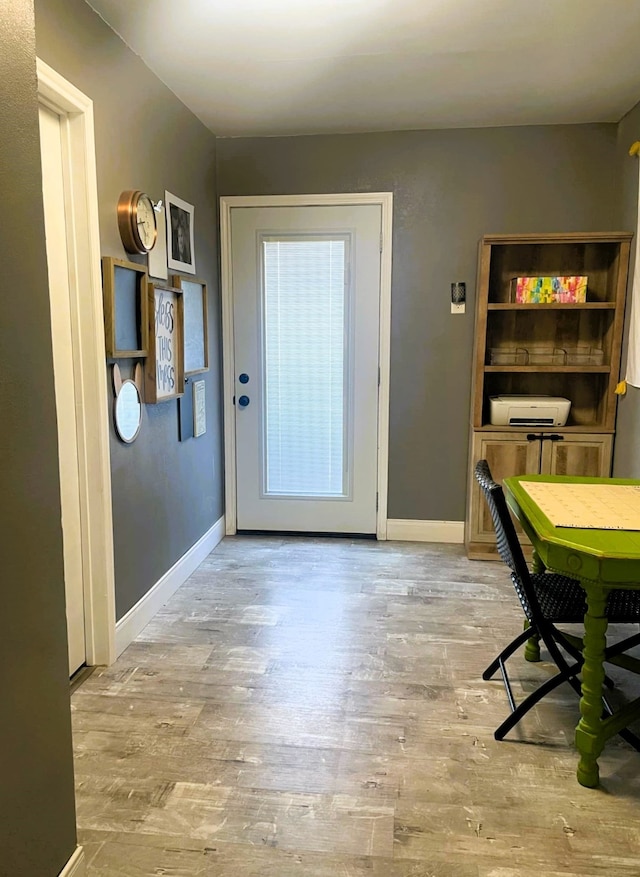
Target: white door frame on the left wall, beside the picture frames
87, 326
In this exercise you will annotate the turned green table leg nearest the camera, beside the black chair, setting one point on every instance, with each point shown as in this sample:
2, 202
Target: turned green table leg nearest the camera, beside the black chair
589, 735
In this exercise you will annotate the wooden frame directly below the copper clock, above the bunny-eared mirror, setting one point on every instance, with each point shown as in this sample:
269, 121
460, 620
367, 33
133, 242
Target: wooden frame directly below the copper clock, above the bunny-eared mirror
126, 323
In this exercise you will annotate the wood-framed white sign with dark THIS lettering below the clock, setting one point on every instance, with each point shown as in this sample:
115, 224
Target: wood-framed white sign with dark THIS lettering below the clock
164, 366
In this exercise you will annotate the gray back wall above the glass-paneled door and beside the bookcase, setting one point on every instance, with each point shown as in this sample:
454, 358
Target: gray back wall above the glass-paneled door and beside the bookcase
450, 188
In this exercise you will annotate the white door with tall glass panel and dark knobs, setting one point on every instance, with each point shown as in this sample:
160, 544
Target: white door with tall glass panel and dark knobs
306, 315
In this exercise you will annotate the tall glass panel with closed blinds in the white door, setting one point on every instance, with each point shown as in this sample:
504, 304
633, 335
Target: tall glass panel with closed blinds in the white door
305, 330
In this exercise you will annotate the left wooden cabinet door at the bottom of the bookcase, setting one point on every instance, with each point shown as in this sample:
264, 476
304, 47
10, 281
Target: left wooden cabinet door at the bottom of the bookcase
507, 454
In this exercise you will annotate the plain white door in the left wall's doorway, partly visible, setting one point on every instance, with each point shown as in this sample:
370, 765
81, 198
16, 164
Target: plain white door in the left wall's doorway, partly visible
63, 346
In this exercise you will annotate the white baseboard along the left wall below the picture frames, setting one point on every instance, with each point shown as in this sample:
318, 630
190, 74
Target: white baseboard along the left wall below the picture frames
137, 618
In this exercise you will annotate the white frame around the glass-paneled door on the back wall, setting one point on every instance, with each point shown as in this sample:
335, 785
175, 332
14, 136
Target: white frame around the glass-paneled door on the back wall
385, 200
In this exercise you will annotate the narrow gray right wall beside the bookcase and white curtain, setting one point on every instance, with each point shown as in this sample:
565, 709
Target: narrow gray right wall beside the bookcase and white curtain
626, 459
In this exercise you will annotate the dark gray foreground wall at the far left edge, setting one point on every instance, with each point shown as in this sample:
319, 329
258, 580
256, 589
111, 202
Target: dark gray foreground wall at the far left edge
37, 815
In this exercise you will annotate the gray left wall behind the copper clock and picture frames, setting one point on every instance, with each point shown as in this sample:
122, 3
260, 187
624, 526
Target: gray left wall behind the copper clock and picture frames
166, 493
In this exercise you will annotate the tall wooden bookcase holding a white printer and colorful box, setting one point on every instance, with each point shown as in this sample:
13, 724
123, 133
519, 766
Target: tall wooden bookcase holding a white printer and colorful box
569, 350
